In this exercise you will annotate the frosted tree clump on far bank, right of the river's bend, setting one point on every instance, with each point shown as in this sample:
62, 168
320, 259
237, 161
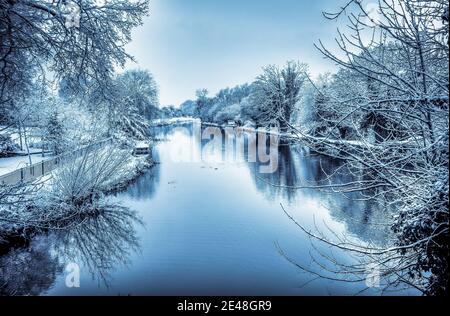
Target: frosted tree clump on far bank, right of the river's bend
270, 100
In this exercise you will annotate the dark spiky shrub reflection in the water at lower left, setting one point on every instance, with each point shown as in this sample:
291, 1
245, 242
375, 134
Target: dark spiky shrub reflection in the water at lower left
99, 243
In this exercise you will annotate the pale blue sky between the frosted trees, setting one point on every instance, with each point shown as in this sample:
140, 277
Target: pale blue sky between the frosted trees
191, 44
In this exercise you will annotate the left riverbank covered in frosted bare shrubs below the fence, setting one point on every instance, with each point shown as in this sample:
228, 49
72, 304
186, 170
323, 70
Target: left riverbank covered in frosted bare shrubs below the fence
45, 204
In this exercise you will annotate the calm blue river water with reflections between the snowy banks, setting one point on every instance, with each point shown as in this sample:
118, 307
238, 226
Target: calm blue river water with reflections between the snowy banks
204, 227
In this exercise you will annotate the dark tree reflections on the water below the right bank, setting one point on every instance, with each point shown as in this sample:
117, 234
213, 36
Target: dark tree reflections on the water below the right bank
299, 167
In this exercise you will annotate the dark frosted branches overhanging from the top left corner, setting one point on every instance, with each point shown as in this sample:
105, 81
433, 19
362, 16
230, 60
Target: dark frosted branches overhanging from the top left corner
36, 37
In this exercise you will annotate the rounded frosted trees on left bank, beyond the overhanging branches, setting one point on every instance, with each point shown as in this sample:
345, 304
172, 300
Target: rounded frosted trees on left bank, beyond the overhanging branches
122, 111
